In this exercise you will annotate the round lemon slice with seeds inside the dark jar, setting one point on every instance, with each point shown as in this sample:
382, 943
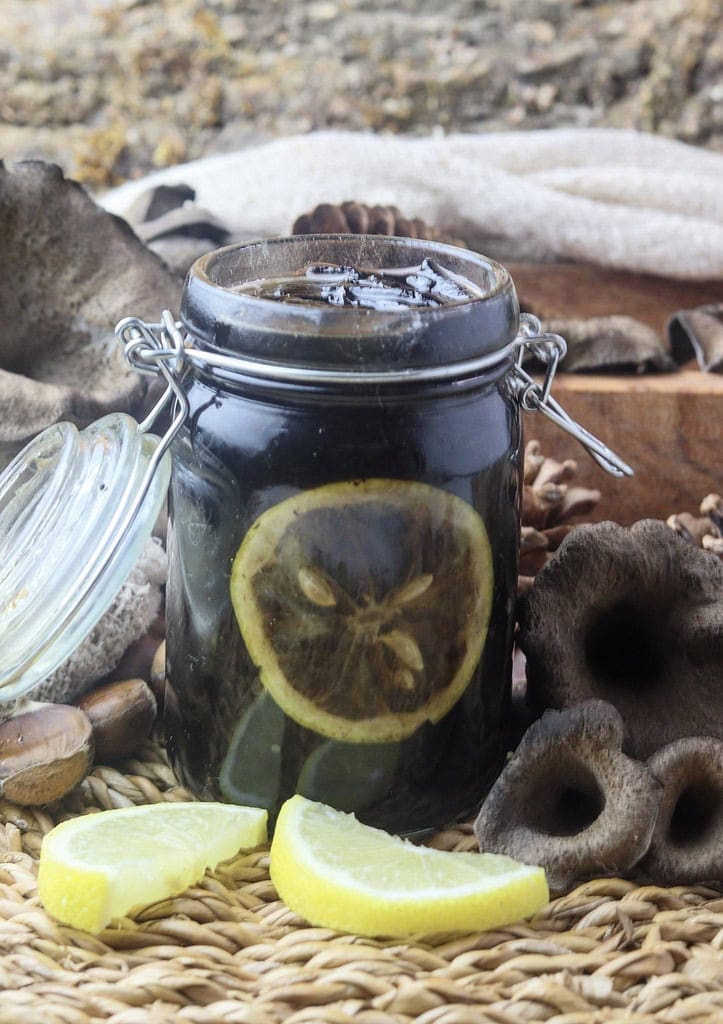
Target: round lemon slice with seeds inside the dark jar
365, 606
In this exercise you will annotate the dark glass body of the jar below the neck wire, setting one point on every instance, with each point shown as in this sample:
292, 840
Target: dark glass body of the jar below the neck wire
247, 453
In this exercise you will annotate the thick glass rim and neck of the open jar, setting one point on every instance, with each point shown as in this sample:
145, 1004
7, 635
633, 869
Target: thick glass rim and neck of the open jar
223, 319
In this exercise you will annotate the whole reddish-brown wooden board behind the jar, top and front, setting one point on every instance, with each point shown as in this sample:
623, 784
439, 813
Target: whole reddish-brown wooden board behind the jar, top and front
668, 428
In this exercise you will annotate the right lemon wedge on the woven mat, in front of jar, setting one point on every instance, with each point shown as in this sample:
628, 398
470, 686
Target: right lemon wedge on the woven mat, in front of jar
337, 873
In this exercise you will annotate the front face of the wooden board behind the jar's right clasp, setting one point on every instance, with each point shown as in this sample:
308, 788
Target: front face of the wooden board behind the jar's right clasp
668, 428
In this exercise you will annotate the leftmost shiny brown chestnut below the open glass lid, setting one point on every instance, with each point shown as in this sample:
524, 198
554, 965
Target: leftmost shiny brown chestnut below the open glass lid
45, 753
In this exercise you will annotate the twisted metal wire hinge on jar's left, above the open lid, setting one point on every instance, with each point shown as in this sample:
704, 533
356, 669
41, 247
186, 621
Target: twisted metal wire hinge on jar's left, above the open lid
152, 350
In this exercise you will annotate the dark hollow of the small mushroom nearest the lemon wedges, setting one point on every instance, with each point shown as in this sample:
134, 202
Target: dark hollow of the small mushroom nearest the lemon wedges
565, 801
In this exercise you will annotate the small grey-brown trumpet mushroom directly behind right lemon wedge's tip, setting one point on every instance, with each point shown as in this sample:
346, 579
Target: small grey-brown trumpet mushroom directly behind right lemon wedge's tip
570, 800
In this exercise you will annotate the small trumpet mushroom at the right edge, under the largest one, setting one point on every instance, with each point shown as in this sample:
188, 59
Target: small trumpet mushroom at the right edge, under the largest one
688, 842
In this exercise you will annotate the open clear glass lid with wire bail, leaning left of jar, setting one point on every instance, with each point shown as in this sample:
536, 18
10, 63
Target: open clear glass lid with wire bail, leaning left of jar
76, 509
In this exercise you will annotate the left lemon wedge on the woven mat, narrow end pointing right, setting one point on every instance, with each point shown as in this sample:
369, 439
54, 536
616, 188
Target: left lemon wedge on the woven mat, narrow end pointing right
100, 867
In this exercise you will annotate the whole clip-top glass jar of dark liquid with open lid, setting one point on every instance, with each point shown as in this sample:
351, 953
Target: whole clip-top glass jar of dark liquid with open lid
344, 539
